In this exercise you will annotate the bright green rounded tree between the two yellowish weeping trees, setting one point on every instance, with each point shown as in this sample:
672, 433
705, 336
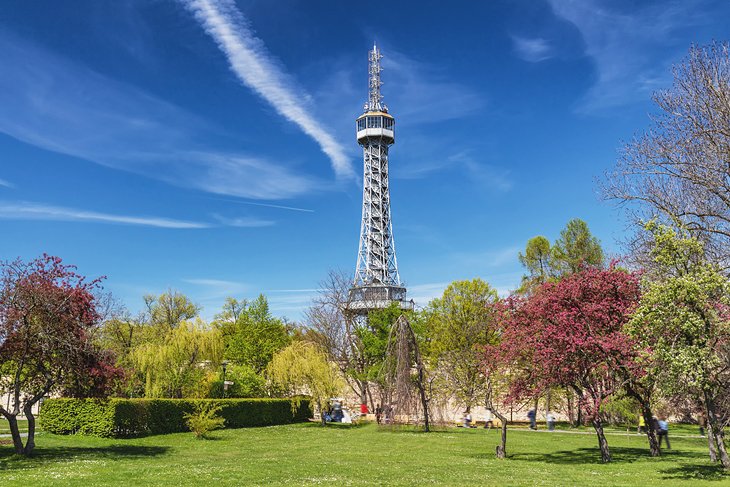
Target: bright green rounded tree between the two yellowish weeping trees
254, 335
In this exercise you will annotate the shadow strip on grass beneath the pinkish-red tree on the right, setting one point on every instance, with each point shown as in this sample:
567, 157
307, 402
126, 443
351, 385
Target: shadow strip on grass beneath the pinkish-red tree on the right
593, 455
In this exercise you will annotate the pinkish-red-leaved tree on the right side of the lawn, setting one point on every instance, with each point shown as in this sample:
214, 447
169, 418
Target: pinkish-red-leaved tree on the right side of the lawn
569, 334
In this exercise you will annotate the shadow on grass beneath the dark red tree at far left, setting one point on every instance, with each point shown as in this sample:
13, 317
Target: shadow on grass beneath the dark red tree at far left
45, 455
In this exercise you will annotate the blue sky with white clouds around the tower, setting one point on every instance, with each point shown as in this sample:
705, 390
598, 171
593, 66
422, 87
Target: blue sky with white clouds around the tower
208, 146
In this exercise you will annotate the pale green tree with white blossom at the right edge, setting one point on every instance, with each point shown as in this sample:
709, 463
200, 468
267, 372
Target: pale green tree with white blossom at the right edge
684, 320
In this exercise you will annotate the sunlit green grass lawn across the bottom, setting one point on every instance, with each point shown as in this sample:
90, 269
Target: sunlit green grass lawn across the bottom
306, 454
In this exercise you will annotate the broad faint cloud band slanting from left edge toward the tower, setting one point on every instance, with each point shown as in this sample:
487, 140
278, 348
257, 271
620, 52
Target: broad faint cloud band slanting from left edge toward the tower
59, 105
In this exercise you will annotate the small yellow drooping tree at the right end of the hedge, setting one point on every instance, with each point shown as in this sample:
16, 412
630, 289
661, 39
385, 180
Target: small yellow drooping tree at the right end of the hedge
302, 368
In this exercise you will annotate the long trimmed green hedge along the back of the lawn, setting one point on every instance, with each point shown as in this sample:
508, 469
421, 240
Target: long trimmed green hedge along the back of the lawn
118, 418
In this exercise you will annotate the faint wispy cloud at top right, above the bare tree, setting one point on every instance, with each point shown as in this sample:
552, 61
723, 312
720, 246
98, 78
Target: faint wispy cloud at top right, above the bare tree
632, 49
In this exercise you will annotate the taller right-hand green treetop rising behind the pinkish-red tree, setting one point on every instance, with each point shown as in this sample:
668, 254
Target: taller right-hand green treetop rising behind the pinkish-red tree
575, 248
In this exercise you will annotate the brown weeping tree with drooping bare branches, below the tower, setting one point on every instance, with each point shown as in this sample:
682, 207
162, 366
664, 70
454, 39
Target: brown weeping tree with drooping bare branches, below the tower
403, 376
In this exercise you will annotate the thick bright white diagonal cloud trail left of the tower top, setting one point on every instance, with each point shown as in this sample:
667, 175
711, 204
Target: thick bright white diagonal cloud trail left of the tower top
254, 66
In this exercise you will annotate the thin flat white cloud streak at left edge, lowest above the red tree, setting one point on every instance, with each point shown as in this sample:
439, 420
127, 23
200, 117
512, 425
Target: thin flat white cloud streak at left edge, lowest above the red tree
34, 211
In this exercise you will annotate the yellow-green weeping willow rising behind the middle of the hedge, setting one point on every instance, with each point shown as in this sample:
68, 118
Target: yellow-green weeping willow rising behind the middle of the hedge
176, 364
